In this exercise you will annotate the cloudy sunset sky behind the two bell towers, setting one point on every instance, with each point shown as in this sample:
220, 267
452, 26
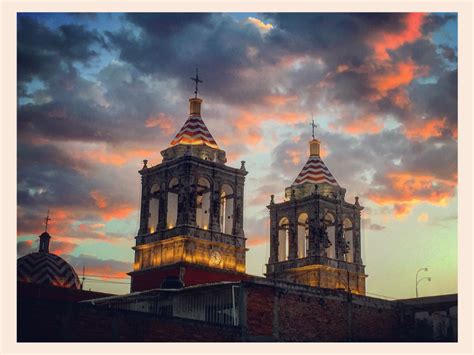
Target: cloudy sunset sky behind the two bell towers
98, 93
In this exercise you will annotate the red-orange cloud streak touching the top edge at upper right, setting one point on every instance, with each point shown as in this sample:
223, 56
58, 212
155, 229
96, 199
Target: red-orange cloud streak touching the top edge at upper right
384, 41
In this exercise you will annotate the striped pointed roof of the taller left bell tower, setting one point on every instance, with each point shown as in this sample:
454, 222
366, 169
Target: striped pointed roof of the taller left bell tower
194, 132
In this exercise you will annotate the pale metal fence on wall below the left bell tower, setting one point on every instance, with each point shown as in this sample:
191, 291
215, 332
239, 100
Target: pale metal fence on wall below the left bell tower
219, 305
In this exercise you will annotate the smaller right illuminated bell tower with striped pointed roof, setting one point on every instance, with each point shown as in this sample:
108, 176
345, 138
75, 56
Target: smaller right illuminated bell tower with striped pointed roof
315, 233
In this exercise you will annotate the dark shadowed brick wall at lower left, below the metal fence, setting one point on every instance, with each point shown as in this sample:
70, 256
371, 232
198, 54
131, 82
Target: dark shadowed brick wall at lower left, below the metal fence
42, 320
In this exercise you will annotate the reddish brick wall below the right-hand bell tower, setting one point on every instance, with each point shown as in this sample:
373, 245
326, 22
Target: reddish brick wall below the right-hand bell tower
292, 314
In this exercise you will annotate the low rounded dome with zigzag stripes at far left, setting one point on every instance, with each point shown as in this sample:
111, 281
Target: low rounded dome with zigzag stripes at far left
46, 269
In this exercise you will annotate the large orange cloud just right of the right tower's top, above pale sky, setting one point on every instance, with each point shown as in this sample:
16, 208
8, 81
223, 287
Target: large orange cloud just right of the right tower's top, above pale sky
405, 190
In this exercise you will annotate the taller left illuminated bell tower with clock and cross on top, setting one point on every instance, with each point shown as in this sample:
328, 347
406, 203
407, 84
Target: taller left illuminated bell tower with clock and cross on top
191, 220
